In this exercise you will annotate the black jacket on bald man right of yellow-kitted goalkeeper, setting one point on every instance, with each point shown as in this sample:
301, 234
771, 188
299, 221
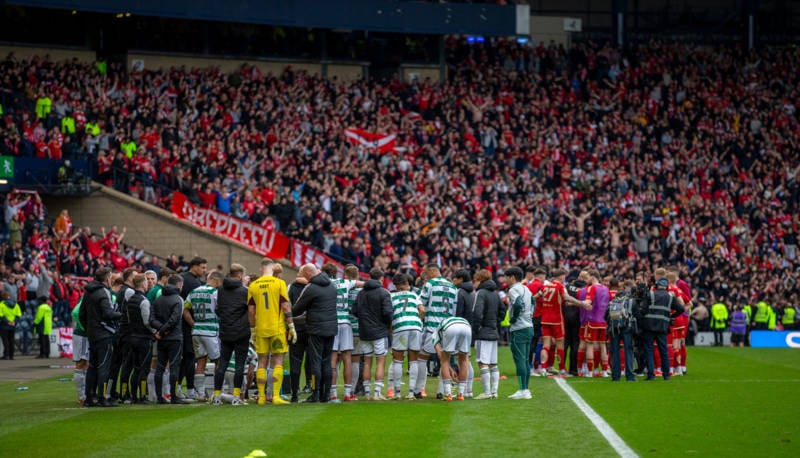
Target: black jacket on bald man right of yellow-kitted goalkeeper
318, 302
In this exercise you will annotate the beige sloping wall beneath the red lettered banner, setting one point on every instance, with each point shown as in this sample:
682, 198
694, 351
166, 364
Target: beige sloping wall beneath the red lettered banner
154, 229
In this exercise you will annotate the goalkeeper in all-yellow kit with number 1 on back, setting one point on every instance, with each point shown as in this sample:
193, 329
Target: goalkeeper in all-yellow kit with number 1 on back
271, 315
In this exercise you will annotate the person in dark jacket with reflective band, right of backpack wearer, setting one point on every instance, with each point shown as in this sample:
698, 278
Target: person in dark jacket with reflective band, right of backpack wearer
657, 309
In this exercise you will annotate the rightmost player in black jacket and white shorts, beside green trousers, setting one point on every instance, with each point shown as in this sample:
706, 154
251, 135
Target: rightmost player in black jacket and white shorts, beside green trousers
487, 313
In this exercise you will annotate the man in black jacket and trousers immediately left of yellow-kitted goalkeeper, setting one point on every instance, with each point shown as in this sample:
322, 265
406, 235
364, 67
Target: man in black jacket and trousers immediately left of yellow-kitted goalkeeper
234, 332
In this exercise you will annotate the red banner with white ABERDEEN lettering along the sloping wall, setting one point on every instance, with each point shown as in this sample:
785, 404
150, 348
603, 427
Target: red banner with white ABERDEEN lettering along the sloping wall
269, 243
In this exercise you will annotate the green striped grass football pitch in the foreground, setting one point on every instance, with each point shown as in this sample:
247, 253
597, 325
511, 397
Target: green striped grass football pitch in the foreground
734, 402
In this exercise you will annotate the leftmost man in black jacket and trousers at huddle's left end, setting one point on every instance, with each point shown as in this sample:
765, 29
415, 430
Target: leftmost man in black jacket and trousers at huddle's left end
98, 316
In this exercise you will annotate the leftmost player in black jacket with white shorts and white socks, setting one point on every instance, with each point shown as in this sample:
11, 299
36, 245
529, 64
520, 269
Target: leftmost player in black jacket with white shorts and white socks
373, 308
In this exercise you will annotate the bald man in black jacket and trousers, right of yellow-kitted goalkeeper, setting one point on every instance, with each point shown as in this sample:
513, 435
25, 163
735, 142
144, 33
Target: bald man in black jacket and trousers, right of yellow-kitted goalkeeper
318, 302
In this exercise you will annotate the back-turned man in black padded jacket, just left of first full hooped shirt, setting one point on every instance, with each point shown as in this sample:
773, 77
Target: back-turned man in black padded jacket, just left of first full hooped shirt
166, 318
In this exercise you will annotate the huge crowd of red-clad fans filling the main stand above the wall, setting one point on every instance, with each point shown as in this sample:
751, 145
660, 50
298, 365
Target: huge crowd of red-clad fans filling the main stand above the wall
591, 156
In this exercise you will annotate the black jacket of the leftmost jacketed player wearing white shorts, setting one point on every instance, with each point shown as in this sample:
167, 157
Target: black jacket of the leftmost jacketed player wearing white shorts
373, 308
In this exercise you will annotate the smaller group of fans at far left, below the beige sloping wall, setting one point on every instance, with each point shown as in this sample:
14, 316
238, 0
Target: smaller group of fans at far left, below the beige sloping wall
49, 260
